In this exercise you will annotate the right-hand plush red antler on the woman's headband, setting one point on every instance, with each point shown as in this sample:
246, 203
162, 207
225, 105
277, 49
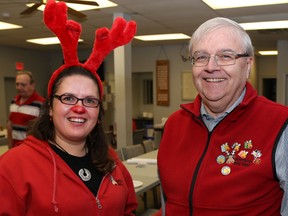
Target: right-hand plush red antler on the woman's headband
121, 33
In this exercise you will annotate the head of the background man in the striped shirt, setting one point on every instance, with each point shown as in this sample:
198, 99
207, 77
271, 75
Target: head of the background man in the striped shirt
24, 84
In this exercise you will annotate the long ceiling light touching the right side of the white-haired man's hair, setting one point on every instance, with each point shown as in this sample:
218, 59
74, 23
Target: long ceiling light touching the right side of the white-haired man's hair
265, 25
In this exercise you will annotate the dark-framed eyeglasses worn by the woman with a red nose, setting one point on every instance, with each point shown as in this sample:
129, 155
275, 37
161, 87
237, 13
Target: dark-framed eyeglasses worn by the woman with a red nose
72, 100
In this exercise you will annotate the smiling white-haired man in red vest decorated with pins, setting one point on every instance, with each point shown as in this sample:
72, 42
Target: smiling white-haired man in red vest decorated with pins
225, 153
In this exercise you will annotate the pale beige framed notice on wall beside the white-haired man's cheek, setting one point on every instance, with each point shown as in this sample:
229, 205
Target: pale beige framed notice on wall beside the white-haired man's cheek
189, 91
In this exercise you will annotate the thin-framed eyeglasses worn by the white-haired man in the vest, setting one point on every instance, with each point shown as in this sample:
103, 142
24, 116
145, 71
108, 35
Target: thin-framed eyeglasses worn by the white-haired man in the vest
201, 59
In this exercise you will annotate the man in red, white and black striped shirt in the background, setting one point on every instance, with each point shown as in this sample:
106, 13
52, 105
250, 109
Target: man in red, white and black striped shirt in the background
23, 108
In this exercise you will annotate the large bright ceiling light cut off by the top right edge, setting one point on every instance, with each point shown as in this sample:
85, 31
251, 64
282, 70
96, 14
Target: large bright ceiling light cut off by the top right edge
223, 4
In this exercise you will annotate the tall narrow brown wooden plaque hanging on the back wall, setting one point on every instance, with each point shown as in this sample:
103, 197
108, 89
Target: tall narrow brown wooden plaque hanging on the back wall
162, 82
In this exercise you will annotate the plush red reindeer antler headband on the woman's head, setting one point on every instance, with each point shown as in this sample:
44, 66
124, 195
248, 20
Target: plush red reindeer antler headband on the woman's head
68, 32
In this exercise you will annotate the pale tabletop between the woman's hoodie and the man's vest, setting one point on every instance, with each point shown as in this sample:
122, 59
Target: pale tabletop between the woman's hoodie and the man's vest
146, 173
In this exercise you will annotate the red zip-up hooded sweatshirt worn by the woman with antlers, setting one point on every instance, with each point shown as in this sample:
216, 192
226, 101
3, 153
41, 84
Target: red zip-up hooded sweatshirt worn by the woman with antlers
36, 181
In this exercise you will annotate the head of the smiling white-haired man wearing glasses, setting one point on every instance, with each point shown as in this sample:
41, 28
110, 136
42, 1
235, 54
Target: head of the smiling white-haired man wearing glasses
222, 58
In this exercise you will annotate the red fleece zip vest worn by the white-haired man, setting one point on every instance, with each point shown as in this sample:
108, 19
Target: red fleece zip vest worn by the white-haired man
187, 160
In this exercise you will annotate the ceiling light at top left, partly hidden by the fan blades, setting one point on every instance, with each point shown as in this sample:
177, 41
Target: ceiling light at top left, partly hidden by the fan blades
80, 7
